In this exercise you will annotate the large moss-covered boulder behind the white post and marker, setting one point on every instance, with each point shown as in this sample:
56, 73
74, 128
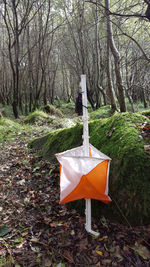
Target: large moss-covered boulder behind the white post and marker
120, 138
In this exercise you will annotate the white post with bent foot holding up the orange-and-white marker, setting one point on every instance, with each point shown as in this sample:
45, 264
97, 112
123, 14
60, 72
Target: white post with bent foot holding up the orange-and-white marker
86, 150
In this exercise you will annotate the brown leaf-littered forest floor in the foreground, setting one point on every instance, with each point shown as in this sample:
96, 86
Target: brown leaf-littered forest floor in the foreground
36, 231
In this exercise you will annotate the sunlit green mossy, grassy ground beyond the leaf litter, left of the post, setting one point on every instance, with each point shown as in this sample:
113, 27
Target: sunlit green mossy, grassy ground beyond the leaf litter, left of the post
38, 121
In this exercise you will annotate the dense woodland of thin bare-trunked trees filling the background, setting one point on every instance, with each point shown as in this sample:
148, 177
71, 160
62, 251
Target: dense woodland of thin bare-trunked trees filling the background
46, 45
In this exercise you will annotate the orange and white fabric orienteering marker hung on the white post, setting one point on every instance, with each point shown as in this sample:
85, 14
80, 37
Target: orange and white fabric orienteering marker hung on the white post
83, 177
